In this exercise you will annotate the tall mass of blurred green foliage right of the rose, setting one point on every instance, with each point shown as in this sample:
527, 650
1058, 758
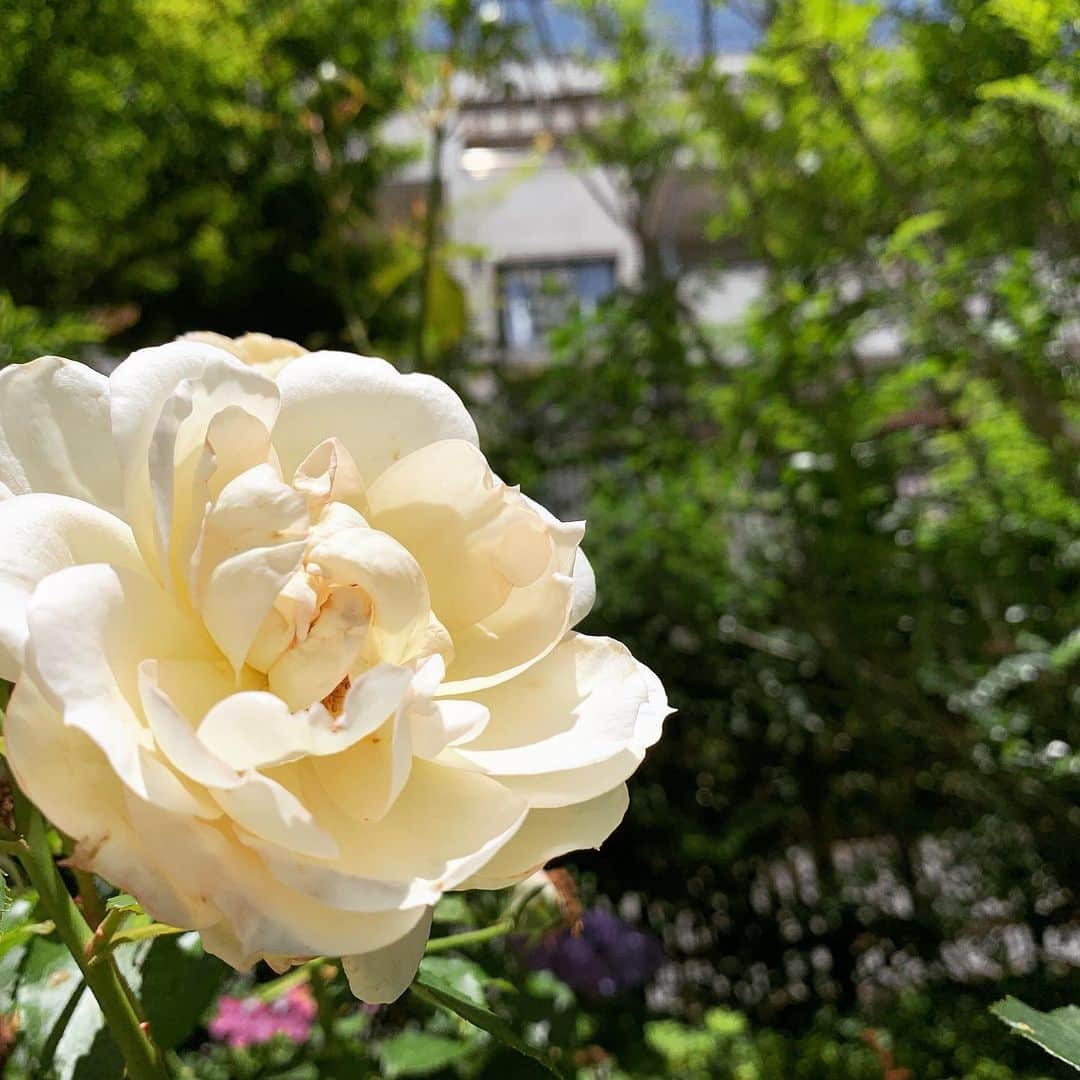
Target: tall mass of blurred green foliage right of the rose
844, 532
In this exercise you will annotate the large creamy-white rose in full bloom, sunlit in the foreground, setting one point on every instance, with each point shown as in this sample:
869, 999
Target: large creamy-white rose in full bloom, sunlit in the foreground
291, 663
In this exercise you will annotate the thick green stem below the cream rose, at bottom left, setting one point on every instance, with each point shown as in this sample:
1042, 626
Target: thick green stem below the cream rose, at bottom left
140, 1054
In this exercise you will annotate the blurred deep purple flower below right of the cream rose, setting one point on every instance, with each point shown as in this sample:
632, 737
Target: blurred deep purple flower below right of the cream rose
605, 958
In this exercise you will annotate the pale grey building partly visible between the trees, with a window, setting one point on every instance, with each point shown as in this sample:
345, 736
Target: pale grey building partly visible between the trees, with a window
541, 233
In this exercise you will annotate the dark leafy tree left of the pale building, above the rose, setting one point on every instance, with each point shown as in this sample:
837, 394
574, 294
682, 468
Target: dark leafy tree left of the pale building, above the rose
207, 164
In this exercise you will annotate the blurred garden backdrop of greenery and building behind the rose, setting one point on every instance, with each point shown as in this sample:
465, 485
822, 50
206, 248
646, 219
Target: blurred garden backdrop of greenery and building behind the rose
785, 299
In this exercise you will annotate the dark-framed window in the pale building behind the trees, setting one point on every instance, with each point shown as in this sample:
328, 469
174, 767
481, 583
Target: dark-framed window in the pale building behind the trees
536, 298
